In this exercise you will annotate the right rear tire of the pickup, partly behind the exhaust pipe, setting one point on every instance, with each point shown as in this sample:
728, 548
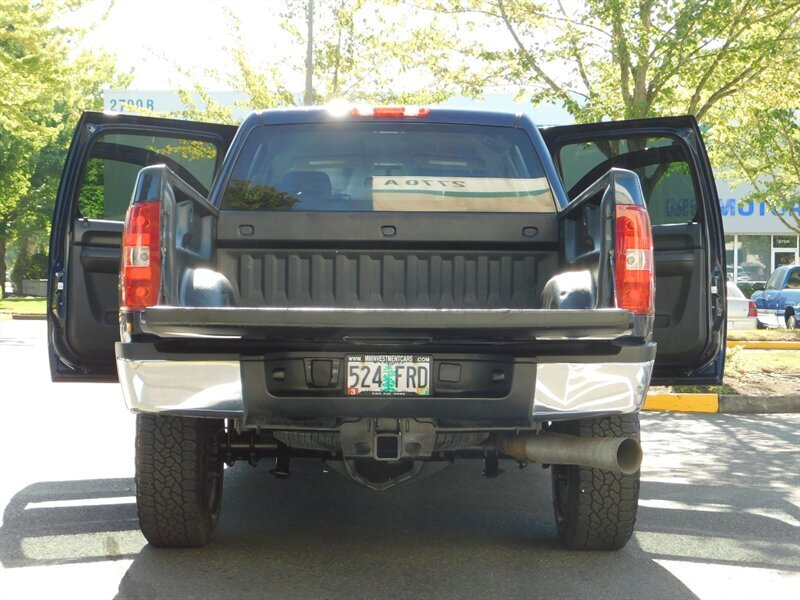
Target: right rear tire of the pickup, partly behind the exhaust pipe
596, 509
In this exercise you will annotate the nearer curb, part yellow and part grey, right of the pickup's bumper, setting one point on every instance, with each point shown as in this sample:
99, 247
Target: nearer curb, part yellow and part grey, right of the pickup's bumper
726, 403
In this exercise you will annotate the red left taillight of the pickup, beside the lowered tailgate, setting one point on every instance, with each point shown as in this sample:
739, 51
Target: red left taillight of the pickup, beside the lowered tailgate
140, 275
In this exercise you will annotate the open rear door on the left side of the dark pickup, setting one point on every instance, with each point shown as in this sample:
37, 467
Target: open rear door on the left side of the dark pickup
106, 154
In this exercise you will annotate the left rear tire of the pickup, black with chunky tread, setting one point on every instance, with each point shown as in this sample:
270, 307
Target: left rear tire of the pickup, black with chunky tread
179, 474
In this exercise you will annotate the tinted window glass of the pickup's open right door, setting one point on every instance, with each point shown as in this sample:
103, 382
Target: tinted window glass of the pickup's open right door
660, 162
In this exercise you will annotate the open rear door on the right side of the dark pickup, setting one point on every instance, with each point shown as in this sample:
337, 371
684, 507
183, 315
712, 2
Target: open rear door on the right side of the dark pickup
669, 156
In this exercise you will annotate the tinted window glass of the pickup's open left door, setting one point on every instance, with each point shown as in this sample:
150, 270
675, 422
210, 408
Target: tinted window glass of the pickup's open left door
116, 158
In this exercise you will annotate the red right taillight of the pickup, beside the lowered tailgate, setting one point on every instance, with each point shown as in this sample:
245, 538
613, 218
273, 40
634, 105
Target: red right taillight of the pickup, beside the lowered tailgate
634, 271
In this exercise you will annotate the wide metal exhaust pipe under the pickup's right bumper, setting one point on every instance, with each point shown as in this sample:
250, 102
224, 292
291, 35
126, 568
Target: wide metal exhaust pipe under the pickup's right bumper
620, 455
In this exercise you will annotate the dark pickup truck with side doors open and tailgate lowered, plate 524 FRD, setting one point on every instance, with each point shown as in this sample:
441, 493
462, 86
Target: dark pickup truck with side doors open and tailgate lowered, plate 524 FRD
386, 290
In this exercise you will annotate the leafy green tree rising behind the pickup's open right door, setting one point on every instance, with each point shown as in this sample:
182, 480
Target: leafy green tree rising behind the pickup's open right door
728, 62
